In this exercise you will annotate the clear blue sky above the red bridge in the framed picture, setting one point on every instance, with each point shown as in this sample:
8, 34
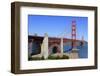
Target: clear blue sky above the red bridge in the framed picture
56, 25
